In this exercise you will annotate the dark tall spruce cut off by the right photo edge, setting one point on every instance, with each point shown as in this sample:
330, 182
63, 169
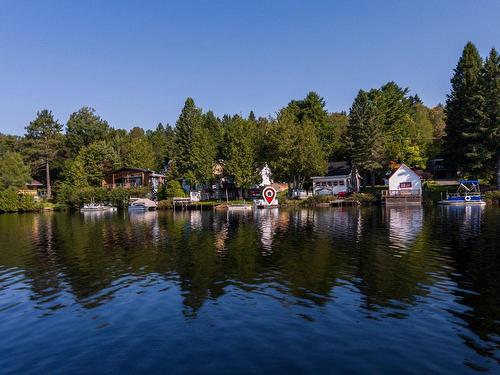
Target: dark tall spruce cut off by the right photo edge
490, 85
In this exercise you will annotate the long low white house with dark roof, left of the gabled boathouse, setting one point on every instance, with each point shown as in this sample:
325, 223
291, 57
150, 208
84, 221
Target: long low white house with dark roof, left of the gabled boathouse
341, 178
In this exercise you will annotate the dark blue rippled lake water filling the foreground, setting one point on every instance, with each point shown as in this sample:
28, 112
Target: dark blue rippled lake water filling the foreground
372, 290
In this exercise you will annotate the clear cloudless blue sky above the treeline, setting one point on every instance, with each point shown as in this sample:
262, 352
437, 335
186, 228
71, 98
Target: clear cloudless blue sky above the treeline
135, 62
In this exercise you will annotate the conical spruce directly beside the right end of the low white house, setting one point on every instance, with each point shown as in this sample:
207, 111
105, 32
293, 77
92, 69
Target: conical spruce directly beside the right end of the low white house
364, 136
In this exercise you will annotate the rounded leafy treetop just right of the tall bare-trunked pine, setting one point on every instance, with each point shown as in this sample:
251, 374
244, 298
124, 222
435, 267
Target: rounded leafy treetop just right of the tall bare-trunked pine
83, 128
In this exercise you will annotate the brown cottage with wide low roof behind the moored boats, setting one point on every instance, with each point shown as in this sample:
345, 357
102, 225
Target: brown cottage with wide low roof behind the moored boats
132, 177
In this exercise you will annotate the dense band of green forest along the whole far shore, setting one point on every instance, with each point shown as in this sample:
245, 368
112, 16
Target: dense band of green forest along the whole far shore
384, 126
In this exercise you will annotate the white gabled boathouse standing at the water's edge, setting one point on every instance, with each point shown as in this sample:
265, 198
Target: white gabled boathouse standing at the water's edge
405, 187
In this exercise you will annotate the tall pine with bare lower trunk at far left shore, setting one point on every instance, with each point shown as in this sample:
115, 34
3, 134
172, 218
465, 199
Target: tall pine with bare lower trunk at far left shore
44, 137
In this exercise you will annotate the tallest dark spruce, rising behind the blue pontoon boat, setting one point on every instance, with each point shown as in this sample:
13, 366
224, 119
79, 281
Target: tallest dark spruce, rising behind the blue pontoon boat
465, 146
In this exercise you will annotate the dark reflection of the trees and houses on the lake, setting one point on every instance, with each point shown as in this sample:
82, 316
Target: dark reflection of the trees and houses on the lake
391, 259
